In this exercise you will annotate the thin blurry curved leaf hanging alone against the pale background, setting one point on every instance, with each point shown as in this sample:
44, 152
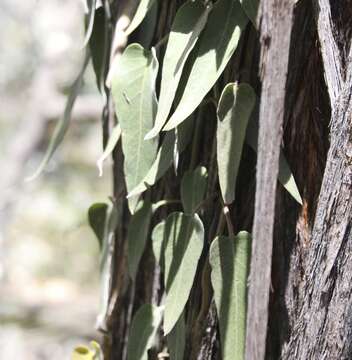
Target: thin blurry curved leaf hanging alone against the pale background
62, 125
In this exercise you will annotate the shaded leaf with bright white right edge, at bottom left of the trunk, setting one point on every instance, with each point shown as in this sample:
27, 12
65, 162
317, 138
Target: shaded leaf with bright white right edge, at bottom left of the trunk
144, 328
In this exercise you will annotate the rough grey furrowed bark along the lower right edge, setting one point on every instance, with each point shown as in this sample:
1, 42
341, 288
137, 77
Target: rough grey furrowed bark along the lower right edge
324, 326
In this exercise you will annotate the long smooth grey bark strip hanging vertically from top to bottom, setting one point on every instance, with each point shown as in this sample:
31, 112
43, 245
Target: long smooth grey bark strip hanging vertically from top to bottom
275, 20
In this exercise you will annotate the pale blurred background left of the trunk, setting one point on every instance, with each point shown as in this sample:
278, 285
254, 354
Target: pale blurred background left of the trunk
49, 257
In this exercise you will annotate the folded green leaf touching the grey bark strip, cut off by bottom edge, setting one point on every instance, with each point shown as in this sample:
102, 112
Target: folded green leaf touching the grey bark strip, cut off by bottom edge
229, 260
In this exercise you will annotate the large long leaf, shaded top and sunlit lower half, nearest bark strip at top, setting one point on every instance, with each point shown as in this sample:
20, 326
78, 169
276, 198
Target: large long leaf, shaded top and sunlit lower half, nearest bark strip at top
216, 46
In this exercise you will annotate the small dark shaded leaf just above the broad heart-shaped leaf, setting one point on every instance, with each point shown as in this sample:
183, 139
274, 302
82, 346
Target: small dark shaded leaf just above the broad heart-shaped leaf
193, 188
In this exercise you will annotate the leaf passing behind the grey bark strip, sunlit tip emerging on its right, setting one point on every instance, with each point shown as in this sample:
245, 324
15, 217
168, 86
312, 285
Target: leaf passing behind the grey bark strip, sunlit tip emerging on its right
285, 175
